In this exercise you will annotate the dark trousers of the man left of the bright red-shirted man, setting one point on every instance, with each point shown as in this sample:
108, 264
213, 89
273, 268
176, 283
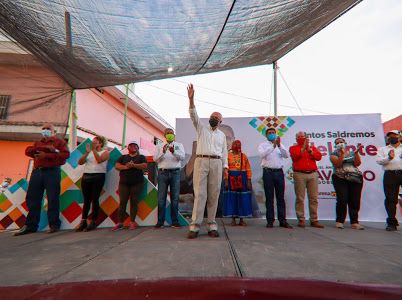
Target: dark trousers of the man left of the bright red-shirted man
274, 181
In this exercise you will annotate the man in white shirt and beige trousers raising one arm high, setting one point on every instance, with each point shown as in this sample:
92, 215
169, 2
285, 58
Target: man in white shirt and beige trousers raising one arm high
210, 161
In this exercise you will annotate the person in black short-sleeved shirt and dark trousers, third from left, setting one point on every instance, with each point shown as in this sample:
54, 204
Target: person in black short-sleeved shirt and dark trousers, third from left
131, 167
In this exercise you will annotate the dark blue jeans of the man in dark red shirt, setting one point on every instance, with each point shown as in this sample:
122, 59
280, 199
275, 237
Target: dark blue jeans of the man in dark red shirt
44, 179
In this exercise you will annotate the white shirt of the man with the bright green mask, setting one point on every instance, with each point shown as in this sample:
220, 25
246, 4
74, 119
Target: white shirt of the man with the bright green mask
169, 160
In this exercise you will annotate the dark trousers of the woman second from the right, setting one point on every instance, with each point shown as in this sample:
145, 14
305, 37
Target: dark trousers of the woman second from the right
348, 196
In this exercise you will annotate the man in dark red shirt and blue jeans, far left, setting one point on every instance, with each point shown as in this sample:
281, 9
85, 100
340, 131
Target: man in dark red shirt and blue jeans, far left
49, 153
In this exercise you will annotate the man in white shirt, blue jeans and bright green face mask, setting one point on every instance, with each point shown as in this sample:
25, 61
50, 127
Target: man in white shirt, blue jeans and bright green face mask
169, 157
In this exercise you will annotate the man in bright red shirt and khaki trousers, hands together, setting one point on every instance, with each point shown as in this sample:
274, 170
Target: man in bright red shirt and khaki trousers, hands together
305, 176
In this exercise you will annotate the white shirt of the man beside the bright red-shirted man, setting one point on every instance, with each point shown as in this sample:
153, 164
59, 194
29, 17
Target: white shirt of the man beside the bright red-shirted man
272, 157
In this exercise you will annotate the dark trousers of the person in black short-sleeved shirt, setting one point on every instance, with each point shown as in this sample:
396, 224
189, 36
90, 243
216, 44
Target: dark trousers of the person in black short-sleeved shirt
126, 192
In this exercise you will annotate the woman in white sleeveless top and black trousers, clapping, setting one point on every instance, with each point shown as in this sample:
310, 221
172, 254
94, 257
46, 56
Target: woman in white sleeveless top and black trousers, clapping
95, 160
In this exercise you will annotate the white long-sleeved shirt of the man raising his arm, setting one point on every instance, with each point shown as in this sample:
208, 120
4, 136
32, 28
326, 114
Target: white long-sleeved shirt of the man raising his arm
209, 142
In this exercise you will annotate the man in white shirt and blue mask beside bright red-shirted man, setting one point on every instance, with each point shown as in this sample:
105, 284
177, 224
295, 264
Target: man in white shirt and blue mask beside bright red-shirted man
272, 154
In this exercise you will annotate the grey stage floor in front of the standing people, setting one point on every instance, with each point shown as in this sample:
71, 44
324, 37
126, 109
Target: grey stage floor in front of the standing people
369, 256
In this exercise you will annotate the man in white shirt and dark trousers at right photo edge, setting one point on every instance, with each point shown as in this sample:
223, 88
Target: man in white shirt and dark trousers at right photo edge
390, 157
